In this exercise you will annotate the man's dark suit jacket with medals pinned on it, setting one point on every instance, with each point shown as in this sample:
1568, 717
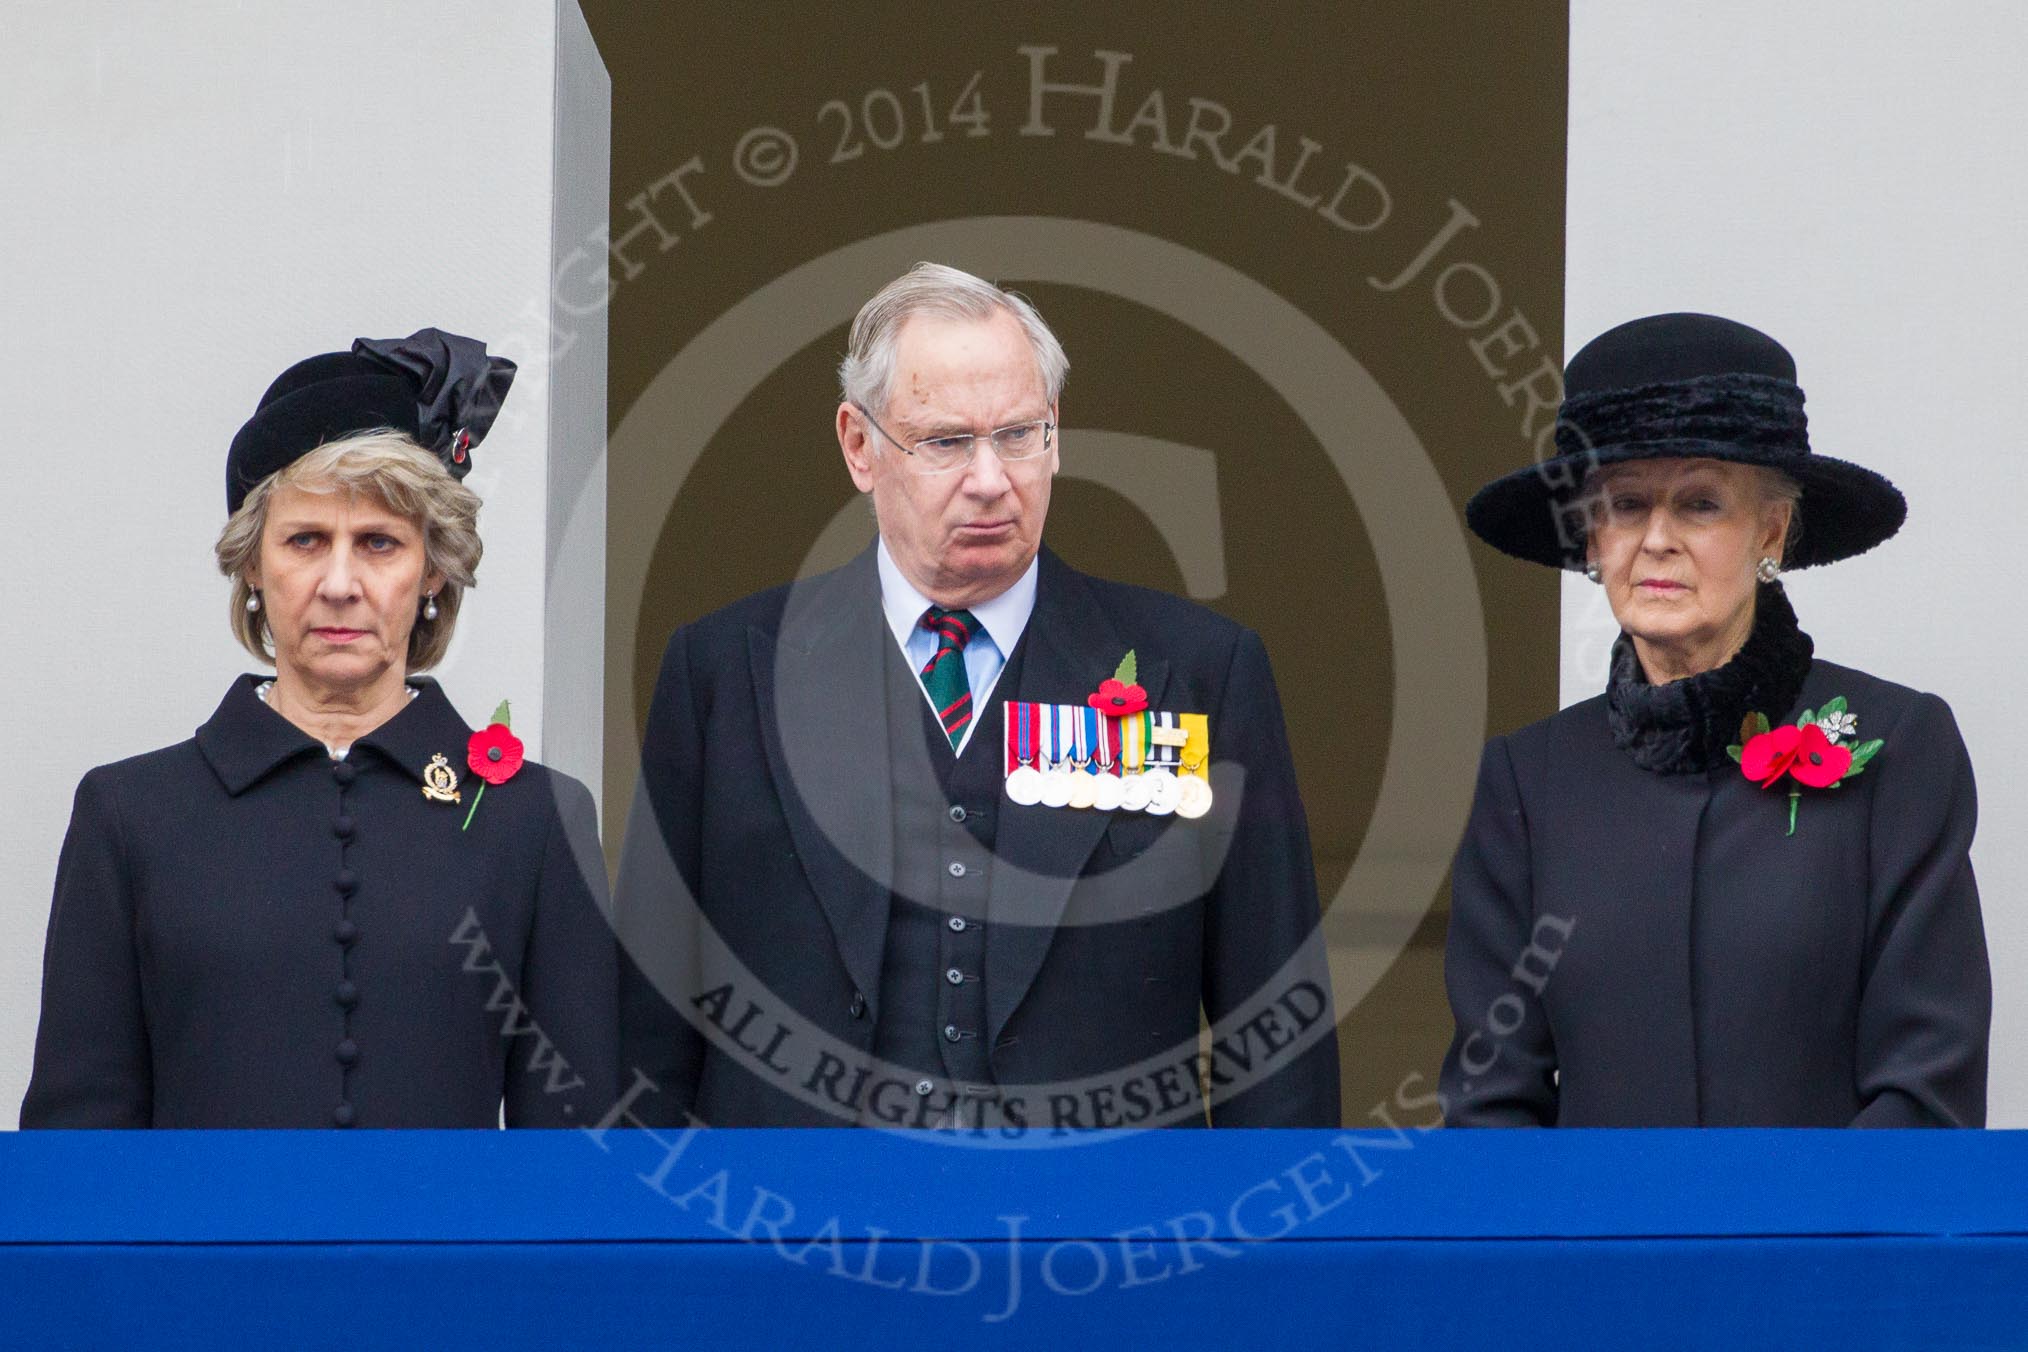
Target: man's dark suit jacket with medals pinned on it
768, 800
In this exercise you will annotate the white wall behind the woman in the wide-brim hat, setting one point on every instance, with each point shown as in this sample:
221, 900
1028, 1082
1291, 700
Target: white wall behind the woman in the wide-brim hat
1849, 177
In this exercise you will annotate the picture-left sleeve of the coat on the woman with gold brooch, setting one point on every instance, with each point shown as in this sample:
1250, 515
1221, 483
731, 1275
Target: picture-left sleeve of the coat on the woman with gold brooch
92, 1061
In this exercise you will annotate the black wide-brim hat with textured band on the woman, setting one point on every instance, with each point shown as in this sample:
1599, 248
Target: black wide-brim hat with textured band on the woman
1684, 386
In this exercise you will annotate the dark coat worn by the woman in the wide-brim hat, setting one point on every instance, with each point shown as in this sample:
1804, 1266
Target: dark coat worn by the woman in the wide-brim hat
1652, 950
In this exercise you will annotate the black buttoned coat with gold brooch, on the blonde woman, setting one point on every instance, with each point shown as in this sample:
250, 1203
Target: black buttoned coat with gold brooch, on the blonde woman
248, 933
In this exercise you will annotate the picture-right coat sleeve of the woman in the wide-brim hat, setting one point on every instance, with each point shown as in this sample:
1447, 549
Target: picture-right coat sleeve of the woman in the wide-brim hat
1928, 996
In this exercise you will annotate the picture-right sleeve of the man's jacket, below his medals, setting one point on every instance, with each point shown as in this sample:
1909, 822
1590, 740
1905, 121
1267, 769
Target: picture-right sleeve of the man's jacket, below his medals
1264, 913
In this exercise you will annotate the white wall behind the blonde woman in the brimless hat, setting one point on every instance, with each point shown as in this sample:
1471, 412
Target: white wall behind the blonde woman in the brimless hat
198, 196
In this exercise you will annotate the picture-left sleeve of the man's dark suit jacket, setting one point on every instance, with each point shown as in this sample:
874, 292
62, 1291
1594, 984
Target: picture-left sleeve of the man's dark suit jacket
658, 903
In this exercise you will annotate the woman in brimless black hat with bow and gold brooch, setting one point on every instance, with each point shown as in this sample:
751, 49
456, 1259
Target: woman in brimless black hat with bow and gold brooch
338, 905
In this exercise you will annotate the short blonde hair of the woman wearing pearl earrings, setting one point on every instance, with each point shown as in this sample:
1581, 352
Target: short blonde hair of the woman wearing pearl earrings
413, 483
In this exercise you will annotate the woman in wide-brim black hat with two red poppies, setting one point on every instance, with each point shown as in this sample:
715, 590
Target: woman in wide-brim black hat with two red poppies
1737, 887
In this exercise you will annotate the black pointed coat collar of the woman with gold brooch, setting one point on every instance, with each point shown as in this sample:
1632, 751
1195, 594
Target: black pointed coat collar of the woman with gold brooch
244, 739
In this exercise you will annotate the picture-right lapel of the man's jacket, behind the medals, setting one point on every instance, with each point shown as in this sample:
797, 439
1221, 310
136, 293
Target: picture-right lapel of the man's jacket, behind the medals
1039, 852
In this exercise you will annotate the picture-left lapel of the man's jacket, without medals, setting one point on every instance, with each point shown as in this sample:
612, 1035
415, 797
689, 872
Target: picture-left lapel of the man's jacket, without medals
822, 702
